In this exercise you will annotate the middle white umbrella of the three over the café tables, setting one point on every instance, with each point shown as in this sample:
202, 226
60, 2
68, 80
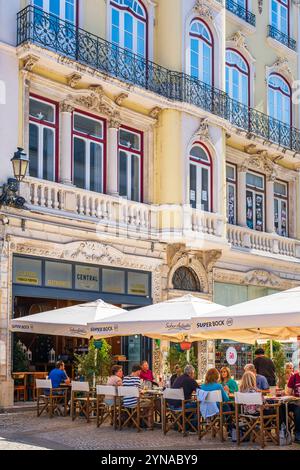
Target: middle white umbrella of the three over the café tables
166, 320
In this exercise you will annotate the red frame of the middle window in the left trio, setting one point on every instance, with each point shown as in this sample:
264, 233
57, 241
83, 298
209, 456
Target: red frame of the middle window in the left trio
94, 139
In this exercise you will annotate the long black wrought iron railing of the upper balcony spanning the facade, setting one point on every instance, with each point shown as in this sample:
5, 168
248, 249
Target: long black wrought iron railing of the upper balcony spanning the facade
56, 35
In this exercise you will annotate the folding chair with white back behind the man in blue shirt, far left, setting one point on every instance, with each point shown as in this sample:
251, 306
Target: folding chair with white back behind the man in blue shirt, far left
50, 399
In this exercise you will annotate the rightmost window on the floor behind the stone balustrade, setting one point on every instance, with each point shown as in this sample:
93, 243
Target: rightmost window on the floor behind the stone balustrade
281, 208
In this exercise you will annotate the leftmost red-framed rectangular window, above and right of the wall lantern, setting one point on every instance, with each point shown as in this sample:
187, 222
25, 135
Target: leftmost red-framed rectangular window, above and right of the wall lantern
43, 135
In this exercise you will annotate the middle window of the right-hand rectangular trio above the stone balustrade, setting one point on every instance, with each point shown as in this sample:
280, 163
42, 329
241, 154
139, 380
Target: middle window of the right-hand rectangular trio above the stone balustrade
255, 201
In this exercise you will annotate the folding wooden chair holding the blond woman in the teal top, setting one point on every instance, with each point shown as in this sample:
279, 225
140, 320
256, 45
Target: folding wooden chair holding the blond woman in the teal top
215, 424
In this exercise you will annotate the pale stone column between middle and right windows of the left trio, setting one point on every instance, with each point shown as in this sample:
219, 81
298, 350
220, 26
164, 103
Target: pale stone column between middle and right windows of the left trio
112, 157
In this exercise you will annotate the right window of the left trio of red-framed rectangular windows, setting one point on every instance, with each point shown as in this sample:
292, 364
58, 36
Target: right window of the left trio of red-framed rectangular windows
130, 164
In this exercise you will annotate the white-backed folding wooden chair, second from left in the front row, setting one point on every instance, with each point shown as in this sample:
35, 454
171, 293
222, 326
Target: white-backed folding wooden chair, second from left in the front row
82, 401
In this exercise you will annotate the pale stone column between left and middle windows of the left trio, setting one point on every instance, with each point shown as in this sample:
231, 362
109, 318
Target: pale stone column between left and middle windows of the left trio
65, 170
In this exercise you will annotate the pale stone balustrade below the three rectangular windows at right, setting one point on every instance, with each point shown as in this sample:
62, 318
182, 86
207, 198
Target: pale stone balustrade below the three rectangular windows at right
262, 242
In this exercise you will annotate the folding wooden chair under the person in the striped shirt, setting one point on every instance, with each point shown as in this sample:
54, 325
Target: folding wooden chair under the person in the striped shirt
136, 415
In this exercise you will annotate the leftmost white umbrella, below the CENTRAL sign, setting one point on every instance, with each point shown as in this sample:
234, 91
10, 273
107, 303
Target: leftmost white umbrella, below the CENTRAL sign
69, 321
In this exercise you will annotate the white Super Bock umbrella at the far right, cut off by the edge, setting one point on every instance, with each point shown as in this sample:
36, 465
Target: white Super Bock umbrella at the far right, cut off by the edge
273, 317
